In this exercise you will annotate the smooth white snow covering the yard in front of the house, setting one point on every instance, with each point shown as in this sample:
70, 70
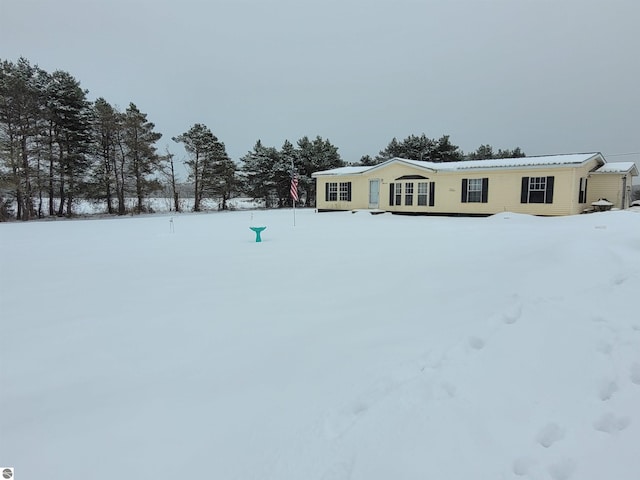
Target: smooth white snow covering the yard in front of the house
351, 346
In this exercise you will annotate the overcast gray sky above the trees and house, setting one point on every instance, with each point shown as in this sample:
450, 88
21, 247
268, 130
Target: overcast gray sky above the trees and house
549, 76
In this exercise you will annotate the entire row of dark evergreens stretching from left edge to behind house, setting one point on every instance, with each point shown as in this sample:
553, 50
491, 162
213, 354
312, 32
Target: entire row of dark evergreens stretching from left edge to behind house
56, 147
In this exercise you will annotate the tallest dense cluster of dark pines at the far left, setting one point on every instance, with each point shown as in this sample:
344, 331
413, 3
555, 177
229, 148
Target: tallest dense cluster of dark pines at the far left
56, 146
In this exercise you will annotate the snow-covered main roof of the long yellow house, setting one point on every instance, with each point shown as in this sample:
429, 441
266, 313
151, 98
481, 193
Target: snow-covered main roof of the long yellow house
547, 160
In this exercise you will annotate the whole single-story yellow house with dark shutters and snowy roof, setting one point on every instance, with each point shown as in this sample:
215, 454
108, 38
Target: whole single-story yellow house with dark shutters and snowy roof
544, 185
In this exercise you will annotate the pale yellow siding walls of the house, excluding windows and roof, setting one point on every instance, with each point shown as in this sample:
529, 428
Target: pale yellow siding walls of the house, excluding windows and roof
504, 189
